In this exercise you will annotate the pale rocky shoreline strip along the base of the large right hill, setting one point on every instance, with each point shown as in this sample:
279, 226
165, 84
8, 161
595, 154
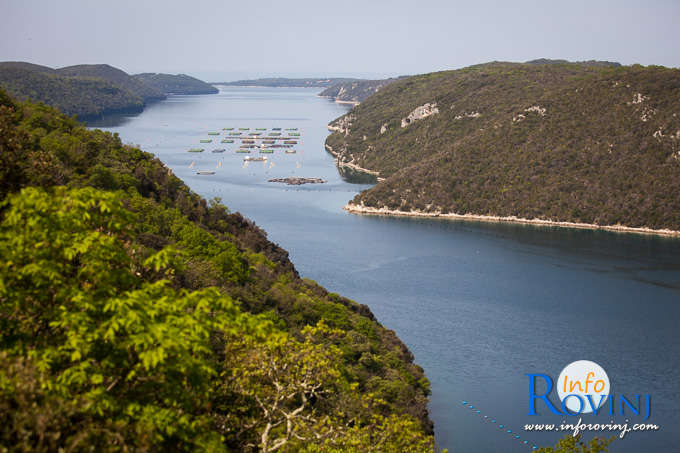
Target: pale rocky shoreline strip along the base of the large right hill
367, 210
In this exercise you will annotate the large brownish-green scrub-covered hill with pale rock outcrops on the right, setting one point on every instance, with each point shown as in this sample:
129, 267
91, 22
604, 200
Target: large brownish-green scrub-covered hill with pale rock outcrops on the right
590, 143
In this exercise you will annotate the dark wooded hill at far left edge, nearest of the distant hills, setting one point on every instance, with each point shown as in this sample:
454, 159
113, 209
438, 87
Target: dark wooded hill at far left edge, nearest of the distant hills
85, 97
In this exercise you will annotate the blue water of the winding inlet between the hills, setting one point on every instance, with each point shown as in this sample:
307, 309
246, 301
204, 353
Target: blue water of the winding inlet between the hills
479, 304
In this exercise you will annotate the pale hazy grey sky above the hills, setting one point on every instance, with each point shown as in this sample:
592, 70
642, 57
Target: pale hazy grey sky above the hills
223, 40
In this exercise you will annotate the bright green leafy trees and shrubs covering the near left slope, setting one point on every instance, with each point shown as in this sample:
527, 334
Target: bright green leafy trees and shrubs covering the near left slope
136, 316
